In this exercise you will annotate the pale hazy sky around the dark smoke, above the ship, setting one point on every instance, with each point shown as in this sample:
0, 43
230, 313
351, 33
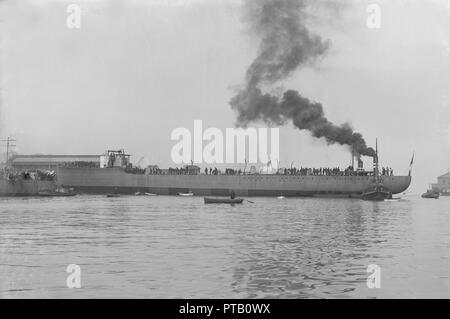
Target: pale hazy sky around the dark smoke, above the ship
136, 70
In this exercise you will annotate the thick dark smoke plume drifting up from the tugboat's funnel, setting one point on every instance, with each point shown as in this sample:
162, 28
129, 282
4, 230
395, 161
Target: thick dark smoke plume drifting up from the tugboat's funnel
286, 45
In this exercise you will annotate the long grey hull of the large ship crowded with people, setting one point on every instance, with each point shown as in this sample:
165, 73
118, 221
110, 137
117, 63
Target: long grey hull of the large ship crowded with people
107, 180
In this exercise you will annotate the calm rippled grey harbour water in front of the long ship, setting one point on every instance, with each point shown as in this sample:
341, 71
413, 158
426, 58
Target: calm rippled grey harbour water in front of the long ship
172, 247
